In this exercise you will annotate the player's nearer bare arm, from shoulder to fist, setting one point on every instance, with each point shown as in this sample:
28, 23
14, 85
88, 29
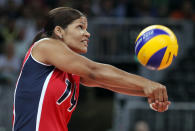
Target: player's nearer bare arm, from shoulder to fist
57, 53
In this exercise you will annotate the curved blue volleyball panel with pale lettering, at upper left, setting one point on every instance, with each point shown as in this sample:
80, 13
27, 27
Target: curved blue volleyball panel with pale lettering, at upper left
146, 37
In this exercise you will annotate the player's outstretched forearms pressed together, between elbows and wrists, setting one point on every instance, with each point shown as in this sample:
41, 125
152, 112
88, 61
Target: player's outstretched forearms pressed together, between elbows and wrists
109, 76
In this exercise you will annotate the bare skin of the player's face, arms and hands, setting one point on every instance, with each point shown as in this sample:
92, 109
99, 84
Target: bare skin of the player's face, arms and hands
63, 51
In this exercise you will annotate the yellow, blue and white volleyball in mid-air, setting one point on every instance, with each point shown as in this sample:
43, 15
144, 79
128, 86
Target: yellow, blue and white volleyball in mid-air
156, 47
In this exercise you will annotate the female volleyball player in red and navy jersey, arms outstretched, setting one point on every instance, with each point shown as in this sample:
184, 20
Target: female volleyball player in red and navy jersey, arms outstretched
48, 86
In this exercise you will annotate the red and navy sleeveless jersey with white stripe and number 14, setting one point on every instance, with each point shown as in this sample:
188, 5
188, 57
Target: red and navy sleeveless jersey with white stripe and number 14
44, 98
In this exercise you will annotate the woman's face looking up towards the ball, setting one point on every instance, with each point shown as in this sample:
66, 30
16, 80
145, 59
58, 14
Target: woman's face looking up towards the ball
76, 35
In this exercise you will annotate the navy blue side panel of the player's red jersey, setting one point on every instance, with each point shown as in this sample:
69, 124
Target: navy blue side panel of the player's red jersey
28, 94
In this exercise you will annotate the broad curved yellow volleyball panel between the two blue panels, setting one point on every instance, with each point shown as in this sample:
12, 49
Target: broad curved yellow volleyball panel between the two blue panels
152, 46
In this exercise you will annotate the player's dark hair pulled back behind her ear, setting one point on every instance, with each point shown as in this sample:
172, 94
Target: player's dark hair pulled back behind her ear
61, 16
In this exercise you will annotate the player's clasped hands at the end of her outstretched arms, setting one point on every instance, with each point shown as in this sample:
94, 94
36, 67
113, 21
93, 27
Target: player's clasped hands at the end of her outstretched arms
157, 97
